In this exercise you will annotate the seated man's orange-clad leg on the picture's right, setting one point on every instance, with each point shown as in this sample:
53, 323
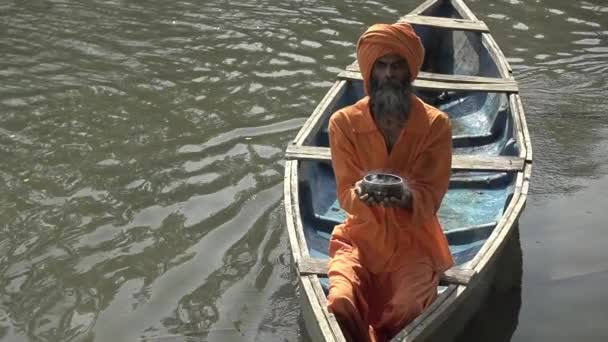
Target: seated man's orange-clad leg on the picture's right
410, 290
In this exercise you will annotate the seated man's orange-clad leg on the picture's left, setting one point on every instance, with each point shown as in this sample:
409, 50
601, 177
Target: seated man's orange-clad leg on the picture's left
347, 288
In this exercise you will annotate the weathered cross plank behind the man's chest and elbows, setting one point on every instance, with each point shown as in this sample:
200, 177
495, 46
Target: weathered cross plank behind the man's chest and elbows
459, 162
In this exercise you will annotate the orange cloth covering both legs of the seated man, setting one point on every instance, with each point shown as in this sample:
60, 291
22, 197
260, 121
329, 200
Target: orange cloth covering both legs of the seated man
375, 307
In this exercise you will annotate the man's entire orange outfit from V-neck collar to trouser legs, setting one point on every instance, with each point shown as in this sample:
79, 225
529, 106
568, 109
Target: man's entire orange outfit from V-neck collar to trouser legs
385, 262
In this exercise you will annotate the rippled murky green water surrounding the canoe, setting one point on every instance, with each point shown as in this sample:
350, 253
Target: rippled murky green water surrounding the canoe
141, 175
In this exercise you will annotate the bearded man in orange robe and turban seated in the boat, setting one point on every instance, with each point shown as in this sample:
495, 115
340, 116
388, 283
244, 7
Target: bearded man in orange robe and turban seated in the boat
386, 258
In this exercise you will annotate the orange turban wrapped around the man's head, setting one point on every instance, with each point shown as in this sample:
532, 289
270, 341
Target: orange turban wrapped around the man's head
383, 39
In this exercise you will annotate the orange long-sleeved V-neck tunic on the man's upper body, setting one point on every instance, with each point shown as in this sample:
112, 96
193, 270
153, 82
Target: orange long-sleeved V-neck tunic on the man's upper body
385, 238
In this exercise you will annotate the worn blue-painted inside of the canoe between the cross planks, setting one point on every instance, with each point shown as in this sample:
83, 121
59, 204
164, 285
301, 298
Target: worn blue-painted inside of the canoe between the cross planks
482, 124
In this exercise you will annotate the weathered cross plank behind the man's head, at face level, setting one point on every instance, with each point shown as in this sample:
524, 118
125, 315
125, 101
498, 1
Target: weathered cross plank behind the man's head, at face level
503, 86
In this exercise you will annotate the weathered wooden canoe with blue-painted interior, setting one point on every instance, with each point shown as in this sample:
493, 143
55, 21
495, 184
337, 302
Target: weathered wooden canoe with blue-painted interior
466, 75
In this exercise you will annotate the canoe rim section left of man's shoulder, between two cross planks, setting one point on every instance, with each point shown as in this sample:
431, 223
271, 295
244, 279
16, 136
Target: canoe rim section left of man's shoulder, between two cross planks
311, 126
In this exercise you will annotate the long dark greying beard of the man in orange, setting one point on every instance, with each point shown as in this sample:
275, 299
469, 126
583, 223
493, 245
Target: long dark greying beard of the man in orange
391, 98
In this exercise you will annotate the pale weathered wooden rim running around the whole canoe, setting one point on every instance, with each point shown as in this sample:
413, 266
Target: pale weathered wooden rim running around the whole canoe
320, 323
